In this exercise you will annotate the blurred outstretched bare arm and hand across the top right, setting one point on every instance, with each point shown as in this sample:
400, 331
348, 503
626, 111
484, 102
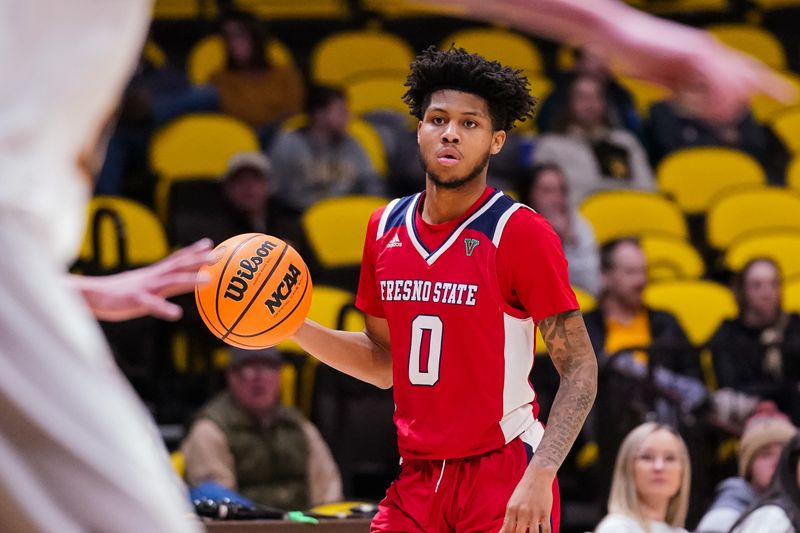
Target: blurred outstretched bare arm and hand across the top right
641, 45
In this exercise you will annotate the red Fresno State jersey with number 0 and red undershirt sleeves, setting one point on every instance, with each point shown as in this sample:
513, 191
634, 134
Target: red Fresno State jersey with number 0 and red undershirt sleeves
462, 353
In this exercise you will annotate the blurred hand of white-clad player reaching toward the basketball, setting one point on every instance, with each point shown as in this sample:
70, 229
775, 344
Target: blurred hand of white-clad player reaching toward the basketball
144, 291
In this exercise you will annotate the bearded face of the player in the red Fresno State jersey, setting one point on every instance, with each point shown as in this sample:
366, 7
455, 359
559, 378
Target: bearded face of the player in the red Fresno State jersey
456, 138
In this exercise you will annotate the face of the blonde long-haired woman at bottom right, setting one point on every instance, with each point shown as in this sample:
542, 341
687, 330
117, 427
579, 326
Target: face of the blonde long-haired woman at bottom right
658, 468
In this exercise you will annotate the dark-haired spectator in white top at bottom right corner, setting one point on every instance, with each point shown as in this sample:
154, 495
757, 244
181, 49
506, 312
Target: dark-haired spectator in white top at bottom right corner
778, 509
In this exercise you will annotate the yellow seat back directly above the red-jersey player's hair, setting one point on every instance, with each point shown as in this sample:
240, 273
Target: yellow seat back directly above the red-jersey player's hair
509, 48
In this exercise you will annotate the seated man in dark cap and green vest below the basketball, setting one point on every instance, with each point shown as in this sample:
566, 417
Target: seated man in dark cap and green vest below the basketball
244, 440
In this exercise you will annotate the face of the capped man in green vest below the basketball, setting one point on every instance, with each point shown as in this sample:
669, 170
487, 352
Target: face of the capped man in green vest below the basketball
255, 386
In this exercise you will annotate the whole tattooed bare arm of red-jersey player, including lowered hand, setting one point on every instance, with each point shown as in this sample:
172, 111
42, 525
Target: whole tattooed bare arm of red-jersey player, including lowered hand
573, 357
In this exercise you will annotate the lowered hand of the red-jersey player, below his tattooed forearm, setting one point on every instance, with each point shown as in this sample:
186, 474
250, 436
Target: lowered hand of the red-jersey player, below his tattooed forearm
529, 507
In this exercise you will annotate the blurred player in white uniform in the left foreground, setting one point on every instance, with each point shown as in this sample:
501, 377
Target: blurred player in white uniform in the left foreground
78, 450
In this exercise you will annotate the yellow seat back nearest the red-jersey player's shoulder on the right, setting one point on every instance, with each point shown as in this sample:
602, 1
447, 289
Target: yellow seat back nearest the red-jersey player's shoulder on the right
615, 214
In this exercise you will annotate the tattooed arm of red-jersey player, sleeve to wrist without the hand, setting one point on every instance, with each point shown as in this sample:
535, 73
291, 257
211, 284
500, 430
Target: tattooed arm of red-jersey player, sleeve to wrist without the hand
572, 355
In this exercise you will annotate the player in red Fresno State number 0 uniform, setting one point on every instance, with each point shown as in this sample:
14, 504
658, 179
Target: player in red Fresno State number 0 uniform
457, 277
